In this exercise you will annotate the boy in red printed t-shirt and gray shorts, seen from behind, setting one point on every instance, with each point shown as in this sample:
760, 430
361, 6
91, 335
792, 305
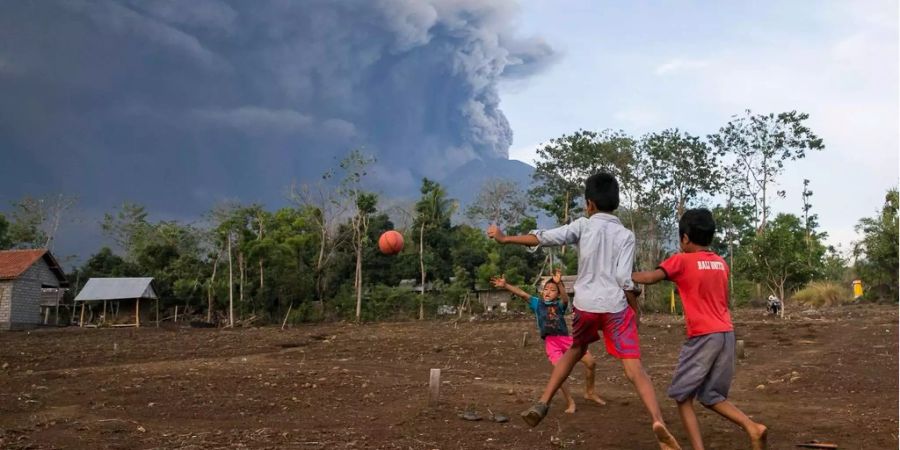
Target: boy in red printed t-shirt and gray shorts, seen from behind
706, 363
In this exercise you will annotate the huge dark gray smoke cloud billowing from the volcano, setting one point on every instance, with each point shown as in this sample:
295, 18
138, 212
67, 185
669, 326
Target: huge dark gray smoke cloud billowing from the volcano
155, 100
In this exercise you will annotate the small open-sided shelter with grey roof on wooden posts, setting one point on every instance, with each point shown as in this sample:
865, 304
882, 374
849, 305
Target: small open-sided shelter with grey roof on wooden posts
112, 292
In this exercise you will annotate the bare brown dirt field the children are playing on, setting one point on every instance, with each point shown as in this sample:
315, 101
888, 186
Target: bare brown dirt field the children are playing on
830, 375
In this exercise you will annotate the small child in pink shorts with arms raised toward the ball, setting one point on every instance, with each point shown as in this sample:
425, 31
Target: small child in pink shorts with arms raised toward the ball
550, 312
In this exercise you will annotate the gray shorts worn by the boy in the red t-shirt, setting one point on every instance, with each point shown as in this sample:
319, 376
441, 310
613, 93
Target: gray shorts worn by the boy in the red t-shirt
705, 369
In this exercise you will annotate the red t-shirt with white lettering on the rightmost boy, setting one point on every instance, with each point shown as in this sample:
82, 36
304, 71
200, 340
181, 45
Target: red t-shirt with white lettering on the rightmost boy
702, 280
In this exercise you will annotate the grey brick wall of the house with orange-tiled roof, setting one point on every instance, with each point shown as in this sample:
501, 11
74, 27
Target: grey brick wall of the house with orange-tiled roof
25, 307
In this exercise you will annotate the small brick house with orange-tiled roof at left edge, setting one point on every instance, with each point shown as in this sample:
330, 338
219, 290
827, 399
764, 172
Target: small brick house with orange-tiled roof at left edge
31, 286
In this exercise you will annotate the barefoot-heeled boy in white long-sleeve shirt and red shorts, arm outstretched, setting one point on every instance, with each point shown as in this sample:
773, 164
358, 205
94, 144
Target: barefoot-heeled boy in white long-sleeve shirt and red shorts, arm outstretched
603, 296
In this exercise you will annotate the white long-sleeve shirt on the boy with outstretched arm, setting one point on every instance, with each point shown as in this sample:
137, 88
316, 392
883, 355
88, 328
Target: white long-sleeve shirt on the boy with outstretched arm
605, 260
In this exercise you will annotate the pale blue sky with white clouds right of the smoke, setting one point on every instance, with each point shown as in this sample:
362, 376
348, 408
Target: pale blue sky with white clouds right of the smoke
642, 67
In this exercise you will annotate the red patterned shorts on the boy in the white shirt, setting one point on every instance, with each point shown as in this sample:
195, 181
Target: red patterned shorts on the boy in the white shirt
619, 332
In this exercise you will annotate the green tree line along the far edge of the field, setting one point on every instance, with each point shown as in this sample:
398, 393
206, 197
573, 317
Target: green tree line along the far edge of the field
318, 257
